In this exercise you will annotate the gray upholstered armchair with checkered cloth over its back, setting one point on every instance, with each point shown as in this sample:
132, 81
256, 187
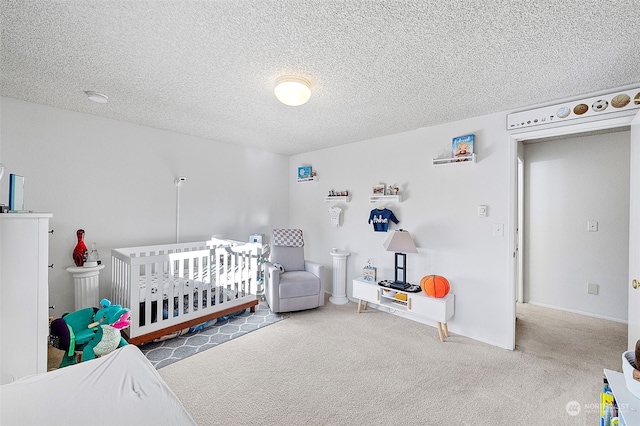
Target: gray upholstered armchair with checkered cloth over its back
301, 285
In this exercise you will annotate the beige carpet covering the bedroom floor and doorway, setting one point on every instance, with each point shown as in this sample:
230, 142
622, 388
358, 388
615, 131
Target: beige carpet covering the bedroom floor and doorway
331, 366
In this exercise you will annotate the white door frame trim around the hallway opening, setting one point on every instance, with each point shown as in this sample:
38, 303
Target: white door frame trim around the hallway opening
622, 119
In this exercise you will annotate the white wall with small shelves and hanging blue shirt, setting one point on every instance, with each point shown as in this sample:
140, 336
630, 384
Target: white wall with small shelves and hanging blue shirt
439, 209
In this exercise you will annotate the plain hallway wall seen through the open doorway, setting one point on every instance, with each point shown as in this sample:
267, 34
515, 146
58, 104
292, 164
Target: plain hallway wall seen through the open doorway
569, 182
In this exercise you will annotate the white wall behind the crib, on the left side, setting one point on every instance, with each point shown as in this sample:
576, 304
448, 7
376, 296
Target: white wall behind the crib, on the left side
116, 181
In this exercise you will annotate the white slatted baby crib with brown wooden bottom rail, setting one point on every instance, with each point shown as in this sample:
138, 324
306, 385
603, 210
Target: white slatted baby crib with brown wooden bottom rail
176, 286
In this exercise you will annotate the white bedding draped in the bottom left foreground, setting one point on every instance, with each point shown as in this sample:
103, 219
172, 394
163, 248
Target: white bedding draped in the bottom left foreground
121, 388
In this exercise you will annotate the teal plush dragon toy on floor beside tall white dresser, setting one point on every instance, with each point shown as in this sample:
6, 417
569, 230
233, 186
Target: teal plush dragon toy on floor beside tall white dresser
93, 331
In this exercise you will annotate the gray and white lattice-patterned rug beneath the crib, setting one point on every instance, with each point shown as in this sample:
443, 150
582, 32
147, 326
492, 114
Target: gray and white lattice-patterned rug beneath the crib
172, 350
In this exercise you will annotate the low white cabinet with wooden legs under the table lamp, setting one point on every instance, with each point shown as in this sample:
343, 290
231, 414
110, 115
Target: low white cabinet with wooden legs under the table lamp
439, 310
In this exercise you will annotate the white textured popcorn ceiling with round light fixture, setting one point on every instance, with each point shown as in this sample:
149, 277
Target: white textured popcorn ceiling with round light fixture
378, 67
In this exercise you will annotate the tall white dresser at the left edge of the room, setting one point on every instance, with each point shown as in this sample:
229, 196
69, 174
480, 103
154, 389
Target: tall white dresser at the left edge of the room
24, 294
